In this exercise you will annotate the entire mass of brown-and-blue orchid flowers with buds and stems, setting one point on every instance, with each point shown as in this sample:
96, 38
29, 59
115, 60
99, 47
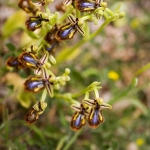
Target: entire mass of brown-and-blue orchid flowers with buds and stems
51, 31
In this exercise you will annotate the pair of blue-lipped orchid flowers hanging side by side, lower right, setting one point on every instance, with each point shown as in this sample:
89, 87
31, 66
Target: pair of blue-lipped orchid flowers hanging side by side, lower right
89, 110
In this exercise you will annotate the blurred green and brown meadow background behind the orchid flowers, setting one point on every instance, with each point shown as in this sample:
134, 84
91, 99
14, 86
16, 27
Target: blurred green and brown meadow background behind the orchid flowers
119, 58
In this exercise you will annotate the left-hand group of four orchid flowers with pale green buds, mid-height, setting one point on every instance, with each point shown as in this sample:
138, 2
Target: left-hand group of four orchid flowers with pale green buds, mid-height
43, 78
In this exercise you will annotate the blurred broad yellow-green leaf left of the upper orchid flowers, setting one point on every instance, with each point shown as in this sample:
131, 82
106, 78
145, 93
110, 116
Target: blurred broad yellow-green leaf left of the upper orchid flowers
13, 23
